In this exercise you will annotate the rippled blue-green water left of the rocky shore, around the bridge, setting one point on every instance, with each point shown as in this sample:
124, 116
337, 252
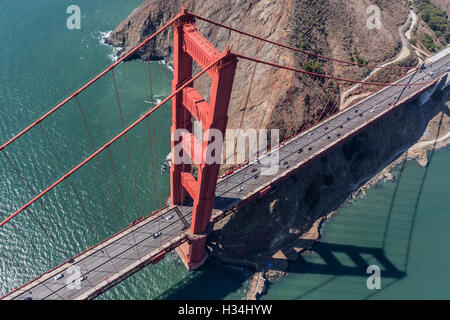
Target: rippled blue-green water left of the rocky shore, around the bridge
42, 63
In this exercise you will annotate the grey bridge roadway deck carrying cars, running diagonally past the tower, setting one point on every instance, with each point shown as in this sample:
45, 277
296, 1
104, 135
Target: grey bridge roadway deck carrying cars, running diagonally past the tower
125, 253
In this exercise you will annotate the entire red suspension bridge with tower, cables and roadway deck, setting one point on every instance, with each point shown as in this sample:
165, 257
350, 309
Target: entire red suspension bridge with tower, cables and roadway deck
196, 202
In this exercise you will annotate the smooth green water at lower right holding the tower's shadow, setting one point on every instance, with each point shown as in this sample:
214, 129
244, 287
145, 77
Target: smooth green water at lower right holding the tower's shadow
402, 226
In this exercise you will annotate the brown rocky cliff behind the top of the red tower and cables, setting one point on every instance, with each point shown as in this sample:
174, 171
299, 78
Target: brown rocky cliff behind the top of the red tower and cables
279, 98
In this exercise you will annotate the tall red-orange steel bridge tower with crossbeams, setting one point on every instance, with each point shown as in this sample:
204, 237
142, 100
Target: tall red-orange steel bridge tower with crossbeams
190, 46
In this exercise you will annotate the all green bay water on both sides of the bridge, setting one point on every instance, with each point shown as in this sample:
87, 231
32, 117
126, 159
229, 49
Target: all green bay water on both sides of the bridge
404, 224
